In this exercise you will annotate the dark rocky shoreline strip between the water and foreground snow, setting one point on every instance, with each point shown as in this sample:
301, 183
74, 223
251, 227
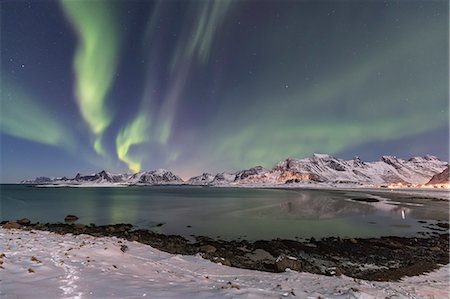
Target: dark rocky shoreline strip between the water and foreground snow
378, 259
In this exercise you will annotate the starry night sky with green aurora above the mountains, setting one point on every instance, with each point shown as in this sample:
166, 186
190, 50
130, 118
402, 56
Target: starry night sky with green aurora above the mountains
196, 86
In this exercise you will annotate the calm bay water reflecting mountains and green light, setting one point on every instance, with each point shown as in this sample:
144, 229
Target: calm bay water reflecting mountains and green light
227, 212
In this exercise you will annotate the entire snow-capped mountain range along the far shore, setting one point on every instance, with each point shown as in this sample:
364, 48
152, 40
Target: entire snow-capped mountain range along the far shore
317, 169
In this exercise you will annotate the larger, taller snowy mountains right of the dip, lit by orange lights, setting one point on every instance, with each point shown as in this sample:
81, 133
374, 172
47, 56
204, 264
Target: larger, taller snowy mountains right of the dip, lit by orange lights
321, 168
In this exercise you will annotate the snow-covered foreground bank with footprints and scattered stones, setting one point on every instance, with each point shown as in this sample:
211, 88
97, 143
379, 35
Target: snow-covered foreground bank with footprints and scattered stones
67, 266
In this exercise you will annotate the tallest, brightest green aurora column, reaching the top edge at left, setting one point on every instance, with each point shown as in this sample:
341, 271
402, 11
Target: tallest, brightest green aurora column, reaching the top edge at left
95, 61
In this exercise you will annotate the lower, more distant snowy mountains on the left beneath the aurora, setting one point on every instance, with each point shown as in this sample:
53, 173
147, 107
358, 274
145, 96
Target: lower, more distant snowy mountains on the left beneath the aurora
155, 177
